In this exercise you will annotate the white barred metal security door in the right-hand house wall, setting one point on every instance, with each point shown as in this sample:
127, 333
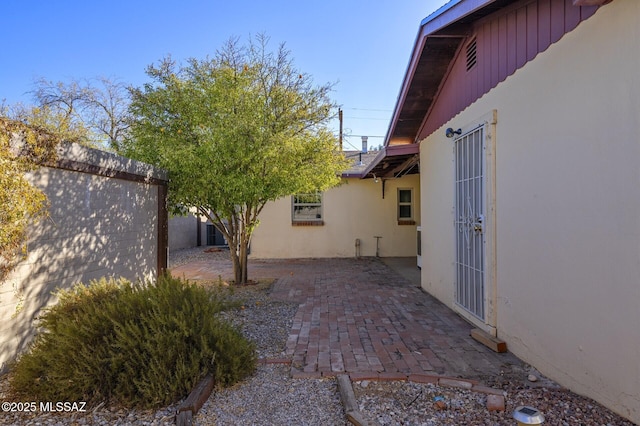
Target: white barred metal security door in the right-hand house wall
469, 221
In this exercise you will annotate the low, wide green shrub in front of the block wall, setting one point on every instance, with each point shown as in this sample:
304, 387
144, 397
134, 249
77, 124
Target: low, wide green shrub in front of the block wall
141, 345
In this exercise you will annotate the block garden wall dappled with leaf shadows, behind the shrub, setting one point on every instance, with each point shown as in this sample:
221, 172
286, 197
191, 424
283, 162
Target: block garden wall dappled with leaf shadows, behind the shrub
97, 227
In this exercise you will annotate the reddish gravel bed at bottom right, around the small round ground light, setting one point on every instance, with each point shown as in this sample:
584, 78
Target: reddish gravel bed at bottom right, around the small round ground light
402, 403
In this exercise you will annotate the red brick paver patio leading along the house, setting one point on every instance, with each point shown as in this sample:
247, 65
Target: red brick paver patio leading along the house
361, 317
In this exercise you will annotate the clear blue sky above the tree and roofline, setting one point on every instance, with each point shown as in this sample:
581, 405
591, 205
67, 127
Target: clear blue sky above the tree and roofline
361, 45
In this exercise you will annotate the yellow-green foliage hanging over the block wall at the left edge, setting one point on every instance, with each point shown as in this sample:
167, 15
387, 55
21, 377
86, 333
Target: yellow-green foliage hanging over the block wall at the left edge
22, 148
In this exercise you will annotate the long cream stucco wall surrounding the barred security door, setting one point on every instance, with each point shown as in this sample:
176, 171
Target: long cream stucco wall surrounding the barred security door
567, 211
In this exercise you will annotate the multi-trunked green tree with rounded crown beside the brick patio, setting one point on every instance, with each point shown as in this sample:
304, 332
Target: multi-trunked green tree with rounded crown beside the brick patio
236, 131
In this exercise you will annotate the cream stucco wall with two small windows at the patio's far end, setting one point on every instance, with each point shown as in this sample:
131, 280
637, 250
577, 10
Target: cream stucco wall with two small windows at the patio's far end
353, 210
